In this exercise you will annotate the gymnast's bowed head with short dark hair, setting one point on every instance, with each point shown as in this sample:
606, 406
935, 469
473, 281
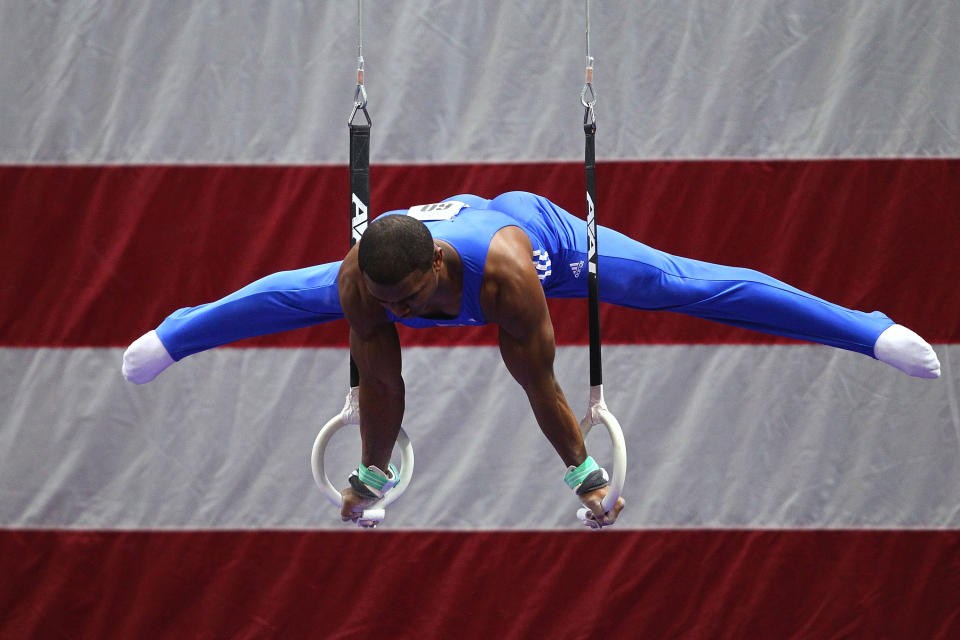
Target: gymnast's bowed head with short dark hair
399, 263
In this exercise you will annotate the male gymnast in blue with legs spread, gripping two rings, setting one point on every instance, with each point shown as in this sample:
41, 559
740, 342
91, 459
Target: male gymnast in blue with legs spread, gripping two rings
472, 261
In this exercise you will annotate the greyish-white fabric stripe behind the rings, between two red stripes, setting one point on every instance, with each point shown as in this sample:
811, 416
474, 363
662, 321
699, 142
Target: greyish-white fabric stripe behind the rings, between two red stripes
718, 436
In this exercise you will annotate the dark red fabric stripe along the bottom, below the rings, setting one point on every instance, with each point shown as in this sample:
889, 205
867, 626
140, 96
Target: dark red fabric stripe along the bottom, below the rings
615, 584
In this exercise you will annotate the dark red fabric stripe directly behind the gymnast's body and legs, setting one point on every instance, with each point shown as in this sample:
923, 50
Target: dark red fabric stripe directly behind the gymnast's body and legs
97, 255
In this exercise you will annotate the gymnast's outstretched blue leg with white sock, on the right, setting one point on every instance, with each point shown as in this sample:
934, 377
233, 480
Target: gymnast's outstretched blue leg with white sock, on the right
635, 275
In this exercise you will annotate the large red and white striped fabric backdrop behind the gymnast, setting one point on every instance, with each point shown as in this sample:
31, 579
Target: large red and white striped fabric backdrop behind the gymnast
156, 155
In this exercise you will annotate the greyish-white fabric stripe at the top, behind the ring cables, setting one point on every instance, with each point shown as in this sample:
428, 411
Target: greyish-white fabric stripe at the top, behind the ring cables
93, 82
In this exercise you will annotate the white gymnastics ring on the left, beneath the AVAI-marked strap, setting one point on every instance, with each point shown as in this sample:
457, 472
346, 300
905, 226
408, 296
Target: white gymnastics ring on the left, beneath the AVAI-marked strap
350, 415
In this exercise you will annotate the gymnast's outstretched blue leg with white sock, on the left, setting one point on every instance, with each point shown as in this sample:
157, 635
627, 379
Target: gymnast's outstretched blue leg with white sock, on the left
279, 302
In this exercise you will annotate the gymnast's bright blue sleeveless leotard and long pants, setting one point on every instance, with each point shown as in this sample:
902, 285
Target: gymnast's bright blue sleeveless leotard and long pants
631, 274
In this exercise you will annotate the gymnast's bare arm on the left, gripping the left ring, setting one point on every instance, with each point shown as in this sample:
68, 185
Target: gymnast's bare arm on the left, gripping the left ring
375, 348
